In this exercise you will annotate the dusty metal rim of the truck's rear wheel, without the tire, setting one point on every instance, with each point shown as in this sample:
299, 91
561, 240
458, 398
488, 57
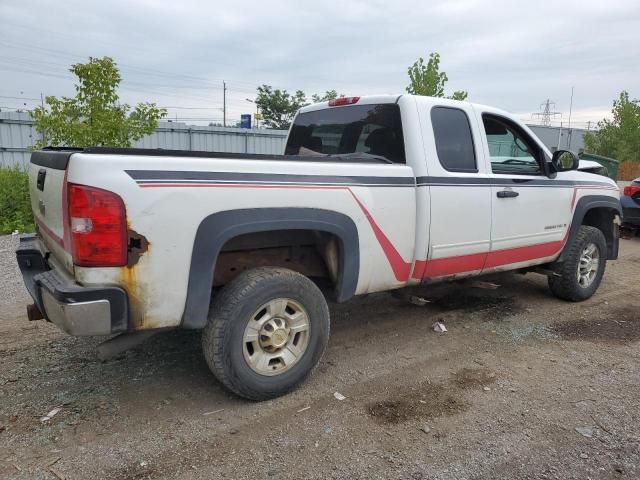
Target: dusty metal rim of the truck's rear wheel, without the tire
276, 336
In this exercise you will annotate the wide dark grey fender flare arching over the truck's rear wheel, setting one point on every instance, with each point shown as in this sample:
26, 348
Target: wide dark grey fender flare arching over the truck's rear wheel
217, 229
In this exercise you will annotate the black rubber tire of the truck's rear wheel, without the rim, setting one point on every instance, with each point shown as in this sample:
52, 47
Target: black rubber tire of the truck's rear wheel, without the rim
231, 310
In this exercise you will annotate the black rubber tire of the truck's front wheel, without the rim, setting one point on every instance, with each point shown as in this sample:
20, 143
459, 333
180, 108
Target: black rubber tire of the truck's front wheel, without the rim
566, 286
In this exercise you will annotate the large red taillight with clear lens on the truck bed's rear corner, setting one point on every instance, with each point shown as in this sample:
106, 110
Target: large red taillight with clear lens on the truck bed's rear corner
97, 227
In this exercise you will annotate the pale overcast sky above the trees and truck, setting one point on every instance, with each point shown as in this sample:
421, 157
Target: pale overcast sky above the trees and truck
510, 54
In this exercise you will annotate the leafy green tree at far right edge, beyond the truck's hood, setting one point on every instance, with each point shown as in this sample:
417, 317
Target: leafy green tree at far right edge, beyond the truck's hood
618, 138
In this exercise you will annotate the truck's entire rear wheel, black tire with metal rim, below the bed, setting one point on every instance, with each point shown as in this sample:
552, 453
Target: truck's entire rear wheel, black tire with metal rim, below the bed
267, 330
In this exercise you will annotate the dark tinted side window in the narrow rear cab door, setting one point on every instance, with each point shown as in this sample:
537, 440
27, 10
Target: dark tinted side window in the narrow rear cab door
454, 141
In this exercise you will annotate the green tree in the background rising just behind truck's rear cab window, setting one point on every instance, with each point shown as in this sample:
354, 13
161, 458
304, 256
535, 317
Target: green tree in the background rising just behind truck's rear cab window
278, 107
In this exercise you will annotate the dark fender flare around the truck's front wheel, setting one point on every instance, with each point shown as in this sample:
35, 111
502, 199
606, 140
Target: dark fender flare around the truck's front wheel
596, 211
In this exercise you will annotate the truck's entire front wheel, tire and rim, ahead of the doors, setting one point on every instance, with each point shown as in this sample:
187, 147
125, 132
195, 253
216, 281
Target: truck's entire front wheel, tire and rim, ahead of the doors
581, 272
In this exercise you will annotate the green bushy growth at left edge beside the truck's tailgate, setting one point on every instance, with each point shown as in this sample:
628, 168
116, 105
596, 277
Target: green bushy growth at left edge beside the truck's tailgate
15, 204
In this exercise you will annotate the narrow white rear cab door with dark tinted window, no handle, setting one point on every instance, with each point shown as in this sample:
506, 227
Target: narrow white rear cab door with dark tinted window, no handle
460, 195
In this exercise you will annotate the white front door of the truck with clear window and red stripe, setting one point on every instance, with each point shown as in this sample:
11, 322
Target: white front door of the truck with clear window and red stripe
530, 212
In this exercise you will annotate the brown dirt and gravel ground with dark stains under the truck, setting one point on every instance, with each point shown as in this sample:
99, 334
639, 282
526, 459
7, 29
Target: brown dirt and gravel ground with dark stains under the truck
522, 386
